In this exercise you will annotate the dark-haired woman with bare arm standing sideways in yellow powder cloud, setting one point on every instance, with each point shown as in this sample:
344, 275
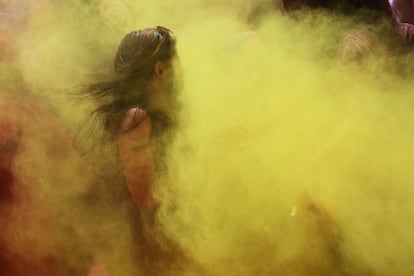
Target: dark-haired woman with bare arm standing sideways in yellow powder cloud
137, 110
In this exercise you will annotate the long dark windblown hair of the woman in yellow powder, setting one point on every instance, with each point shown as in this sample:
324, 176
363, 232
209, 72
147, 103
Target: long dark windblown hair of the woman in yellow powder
127, 84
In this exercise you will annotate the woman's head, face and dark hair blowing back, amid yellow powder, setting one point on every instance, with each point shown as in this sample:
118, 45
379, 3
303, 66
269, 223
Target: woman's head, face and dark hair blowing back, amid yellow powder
143, 75
